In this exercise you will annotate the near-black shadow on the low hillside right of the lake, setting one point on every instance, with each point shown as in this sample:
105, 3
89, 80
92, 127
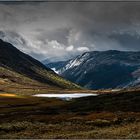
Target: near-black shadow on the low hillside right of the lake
126, 102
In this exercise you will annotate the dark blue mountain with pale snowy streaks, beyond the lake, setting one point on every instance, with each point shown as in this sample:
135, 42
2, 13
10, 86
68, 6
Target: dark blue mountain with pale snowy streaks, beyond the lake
102, 69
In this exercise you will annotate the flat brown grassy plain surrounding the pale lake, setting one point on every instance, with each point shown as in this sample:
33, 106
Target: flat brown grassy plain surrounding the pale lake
109, 115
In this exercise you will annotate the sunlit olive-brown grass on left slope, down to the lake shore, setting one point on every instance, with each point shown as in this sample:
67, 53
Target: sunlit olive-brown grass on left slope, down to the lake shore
13, 82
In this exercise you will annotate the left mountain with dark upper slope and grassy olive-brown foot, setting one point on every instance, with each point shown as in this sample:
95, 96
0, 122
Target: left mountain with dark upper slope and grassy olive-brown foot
18, 67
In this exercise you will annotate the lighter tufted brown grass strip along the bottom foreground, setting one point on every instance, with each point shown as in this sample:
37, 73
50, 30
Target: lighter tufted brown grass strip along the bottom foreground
67, 129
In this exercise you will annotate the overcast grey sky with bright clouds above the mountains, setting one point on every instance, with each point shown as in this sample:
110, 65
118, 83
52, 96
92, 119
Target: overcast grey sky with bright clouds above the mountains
61, 30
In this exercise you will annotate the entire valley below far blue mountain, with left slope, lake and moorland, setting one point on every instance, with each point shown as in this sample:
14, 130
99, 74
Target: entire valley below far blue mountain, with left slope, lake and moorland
78, 114
